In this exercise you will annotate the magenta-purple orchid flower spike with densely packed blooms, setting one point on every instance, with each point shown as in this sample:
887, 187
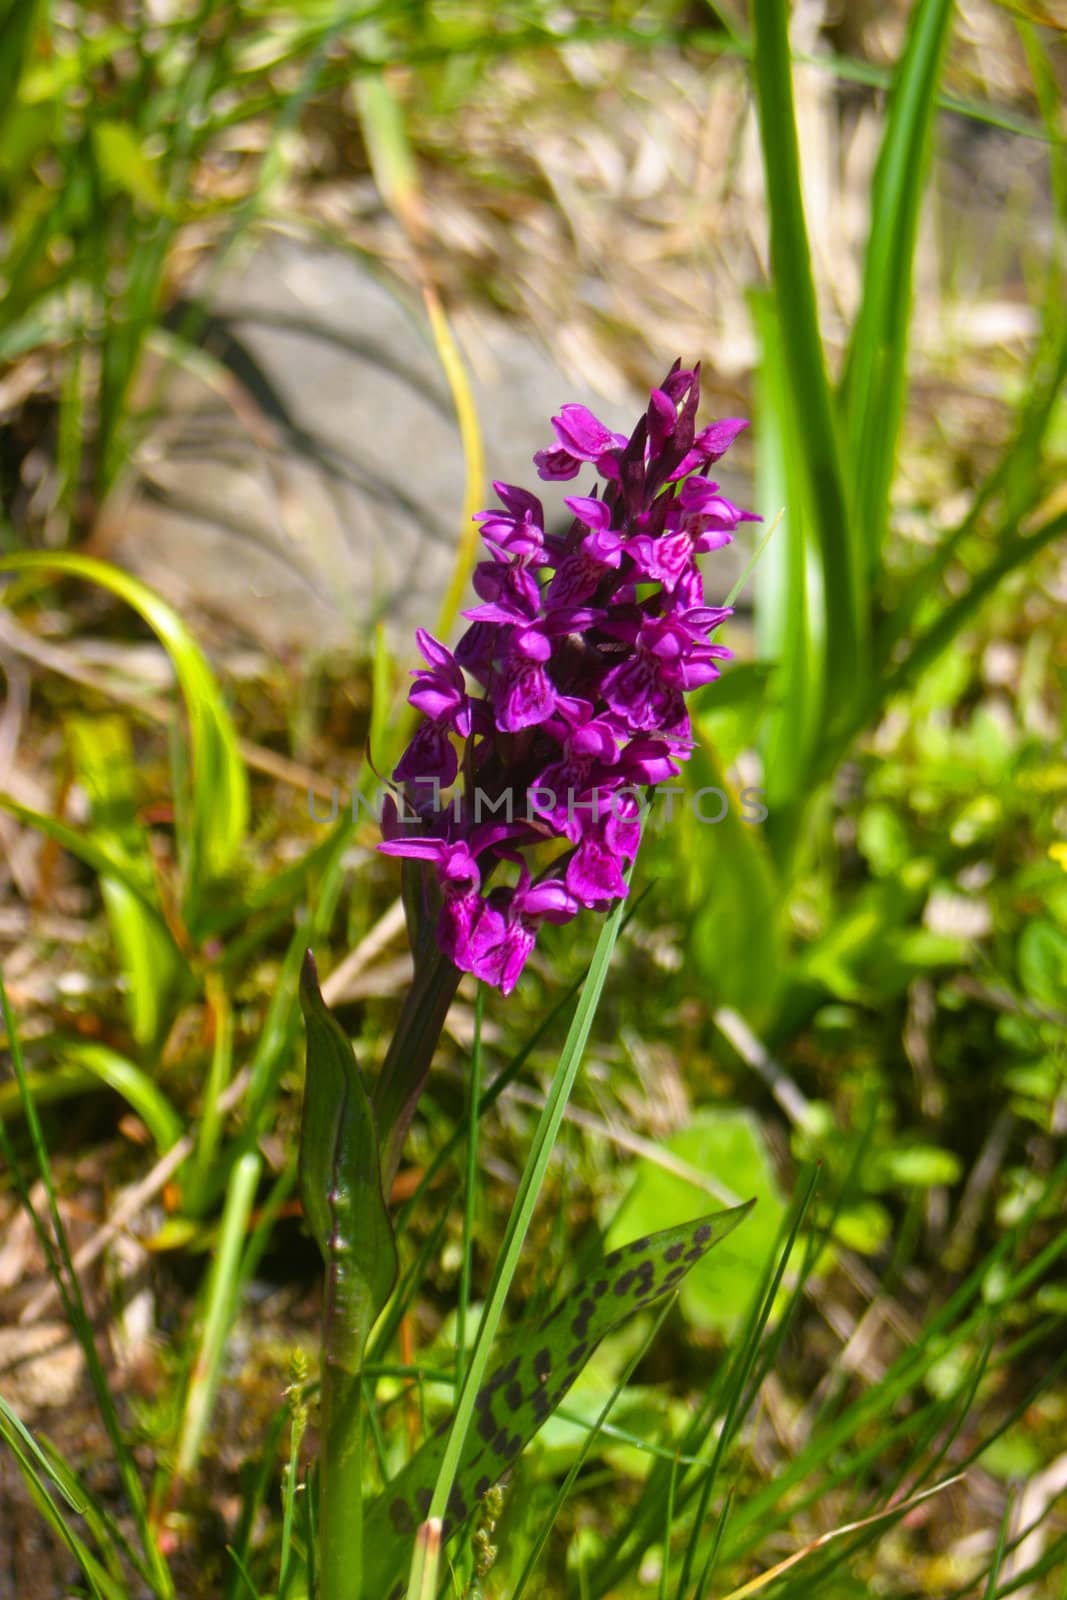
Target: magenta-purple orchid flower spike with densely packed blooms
583, 649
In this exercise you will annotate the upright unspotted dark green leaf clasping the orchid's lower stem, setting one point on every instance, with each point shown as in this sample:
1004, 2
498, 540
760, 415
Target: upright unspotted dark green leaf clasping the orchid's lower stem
342, 1180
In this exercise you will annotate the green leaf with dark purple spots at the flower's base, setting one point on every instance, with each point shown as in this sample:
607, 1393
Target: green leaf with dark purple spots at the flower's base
533, 1370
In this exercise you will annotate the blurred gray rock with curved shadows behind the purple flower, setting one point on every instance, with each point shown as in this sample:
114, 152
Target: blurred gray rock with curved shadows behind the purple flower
308, 481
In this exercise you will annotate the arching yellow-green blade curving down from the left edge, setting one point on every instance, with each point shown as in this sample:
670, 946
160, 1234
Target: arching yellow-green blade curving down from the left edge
212, 825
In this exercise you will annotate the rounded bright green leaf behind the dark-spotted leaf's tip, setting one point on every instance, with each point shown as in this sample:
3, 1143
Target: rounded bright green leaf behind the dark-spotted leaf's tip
727, 1143
